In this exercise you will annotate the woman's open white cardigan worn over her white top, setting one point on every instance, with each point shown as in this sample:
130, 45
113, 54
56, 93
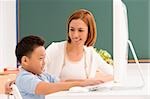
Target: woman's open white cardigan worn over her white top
55, 56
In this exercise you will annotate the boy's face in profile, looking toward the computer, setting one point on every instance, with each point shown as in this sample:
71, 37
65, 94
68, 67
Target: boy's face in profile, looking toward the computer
36, 61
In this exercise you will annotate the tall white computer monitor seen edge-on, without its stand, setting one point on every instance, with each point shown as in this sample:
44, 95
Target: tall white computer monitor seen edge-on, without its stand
120, 41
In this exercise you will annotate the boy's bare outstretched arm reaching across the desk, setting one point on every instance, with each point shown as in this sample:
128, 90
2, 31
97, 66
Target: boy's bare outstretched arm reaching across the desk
47, 88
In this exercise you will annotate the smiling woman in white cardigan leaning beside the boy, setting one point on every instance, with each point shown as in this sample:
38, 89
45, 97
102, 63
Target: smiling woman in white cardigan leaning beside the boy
76, 58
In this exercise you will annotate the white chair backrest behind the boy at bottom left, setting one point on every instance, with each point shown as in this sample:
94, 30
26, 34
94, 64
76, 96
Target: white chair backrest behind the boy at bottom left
15, 92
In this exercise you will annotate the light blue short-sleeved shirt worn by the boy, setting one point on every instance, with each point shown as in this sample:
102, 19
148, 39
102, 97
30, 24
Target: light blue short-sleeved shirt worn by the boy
27, 82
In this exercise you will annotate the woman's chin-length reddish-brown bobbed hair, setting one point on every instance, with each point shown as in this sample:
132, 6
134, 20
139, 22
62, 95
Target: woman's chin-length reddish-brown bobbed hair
87, 17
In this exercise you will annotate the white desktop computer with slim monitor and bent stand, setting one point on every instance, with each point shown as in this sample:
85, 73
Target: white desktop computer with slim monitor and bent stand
121, 43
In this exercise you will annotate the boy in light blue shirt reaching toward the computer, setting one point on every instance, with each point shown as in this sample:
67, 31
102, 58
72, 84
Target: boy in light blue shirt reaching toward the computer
32, 81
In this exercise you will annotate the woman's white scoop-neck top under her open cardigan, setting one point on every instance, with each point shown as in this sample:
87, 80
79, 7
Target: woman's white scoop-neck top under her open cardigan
73, 70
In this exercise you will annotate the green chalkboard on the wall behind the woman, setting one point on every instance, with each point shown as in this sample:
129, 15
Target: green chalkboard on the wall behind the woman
47, 18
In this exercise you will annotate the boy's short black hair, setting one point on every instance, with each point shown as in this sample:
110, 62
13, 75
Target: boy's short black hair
27, 45
